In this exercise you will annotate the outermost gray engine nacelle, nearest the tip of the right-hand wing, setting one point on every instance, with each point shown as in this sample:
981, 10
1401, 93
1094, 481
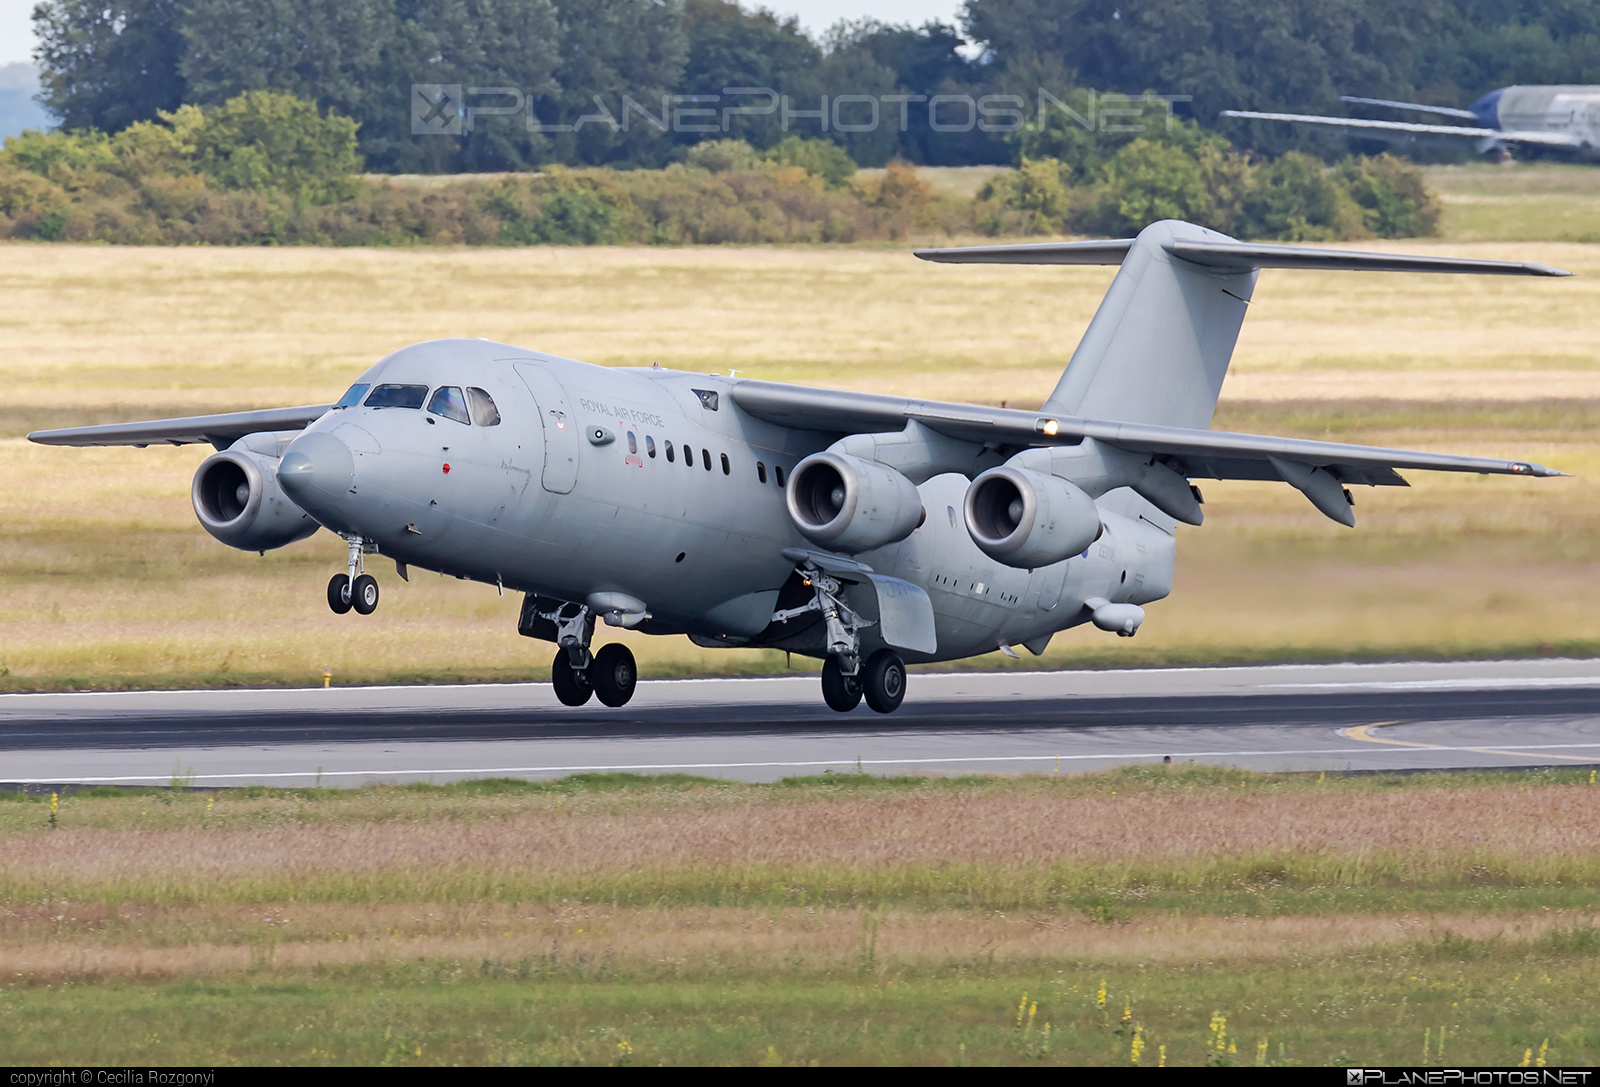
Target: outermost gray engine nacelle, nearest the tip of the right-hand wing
1028, 519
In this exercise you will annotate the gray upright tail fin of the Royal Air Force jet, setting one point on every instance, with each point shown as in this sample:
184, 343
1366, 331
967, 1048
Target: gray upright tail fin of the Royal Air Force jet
1162, 339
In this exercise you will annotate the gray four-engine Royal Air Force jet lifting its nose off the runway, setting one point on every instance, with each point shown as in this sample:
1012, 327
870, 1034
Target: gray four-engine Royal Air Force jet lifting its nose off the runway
866, 531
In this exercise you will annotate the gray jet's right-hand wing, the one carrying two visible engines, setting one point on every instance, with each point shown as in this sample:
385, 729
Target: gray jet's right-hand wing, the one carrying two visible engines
1194, 454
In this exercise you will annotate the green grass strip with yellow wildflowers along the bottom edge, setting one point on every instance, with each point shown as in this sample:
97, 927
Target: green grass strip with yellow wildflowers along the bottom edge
1359, 1009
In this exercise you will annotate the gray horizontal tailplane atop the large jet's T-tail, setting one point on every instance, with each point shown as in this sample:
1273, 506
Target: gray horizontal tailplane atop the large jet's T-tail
1234, 257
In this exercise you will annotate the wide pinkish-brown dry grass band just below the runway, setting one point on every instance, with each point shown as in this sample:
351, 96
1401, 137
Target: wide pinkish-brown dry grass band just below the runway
985, 844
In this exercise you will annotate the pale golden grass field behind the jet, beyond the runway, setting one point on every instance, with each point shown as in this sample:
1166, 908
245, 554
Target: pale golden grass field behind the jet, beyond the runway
108, 580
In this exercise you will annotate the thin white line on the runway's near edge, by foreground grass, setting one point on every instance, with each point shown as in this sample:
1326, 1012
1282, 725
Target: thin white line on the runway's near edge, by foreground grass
762, 766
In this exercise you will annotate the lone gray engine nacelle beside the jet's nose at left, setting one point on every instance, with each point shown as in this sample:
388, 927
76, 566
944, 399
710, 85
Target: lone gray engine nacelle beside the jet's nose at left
238, 500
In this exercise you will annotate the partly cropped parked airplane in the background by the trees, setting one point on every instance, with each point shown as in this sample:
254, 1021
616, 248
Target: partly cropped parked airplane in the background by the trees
1556, 121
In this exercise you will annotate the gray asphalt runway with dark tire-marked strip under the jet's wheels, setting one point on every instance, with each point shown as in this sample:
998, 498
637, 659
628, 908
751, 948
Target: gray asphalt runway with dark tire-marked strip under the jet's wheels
1393, 716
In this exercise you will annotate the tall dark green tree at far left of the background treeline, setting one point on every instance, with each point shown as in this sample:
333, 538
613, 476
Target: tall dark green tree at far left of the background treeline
110, 63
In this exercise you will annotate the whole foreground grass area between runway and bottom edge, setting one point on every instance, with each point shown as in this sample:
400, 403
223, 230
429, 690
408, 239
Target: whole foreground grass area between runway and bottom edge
857, 920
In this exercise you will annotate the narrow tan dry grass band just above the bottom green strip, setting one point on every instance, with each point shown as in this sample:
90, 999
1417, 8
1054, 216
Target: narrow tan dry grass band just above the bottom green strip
97, 945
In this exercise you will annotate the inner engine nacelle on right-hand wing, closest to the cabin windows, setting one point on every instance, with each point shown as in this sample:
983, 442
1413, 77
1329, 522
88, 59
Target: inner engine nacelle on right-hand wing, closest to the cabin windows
847, 503
